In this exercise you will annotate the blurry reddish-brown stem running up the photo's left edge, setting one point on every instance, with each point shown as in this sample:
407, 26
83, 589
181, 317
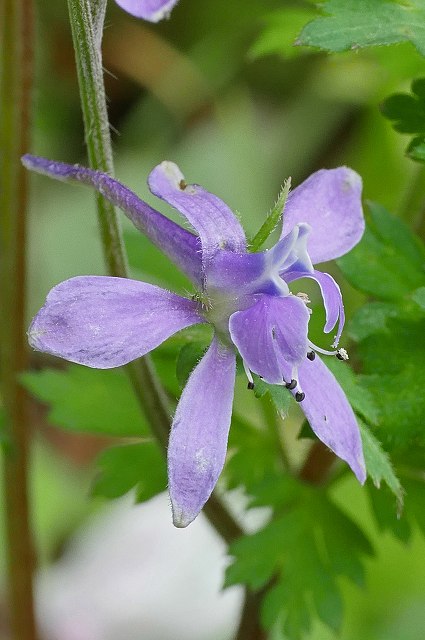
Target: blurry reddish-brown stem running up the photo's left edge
16, 69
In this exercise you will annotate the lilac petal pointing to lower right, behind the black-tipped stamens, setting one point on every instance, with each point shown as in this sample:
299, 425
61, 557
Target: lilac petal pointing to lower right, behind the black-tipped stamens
330, 414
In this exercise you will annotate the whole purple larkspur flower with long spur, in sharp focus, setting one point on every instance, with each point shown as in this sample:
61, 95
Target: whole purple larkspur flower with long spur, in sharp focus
105, 322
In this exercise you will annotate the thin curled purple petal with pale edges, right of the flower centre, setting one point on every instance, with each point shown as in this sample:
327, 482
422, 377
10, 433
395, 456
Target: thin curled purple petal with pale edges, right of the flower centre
332, 299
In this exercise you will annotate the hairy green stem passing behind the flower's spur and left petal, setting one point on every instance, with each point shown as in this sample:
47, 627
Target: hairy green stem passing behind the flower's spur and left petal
148, 390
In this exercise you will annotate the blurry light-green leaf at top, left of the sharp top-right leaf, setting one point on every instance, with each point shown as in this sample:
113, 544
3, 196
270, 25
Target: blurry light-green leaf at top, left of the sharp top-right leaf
280, 31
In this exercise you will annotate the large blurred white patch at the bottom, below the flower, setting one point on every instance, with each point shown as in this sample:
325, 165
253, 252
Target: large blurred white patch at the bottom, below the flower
130, 575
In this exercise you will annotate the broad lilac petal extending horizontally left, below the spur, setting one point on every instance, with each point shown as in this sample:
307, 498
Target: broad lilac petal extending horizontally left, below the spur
105, 322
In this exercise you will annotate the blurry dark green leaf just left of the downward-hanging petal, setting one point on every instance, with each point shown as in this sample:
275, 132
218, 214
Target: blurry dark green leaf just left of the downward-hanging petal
124, 467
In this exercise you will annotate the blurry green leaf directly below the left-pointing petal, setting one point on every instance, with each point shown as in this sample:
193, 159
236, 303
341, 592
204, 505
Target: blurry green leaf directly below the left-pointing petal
88, 400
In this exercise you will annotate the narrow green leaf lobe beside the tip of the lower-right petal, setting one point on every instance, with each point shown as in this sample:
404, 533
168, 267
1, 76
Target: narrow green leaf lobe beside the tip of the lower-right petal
379, 466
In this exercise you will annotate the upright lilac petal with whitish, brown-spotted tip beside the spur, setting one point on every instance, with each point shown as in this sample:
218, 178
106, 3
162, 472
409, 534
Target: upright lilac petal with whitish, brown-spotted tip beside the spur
212, 219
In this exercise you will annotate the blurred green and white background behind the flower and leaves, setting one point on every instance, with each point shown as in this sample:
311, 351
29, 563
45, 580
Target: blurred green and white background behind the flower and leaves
195, 90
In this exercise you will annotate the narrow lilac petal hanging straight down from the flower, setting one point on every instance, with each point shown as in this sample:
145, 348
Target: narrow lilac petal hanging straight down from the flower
198, 439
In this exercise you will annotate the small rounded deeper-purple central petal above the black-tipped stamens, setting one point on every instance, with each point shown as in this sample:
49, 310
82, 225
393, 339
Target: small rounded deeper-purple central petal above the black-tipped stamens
272, 335
